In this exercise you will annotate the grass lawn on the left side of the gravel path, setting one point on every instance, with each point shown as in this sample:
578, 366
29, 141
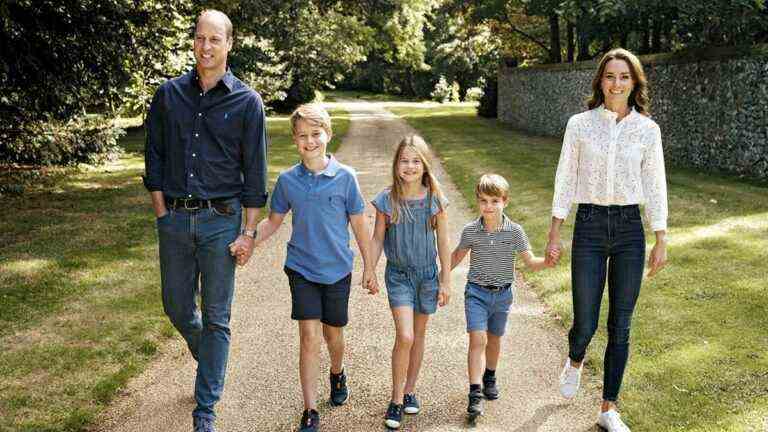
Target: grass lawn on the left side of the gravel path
79, 286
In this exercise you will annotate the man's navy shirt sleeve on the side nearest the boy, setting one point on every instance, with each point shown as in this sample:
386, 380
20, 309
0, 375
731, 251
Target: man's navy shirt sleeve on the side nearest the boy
254, 153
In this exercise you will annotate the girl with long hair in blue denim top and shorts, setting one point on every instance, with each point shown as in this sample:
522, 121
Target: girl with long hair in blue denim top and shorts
408, 215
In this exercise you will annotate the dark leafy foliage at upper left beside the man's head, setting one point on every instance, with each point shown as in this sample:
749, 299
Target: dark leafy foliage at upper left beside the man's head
64, 65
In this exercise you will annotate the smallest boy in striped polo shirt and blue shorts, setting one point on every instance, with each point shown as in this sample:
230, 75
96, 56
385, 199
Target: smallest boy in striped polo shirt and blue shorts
494, 241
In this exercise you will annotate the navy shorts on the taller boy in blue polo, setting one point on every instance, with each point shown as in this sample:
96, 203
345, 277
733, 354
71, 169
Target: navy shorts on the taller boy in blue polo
311, 300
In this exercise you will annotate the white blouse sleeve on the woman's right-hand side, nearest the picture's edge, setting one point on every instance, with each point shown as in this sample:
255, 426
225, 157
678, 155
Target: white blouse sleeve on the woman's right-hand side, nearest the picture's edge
654, 179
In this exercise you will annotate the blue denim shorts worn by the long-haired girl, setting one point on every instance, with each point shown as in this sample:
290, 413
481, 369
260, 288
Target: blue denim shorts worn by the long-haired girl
413, 287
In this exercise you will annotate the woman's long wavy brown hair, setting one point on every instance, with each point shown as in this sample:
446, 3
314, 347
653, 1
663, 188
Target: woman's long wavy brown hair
638, 98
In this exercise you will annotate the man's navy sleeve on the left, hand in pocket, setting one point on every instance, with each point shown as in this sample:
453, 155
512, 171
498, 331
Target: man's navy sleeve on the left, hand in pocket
154, 147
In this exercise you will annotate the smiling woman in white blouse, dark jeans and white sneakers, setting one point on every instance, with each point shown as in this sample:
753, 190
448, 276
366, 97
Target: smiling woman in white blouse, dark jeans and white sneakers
611, 161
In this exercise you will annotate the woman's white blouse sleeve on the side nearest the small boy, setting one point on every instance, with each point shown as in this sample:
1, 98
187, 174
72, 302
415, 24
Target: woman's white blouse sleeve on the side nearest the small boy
566, 178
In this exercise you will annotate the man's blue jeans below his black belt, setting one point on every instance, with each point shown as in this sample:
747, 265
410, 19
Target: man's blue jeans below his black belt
194, 258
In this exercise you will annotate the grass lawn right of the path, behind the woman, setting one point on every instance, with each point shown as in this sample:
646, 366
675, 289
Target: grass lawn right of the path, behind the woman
699, 358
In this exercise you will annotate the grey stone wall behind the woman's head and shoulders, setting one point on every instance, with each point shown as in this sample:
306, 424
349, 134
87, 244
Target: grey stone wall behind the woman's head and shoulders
712, 106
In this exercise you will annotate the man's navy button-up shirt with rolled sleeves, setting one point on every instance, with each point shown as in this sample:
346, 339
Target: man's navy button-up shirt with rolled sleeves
207, 145
